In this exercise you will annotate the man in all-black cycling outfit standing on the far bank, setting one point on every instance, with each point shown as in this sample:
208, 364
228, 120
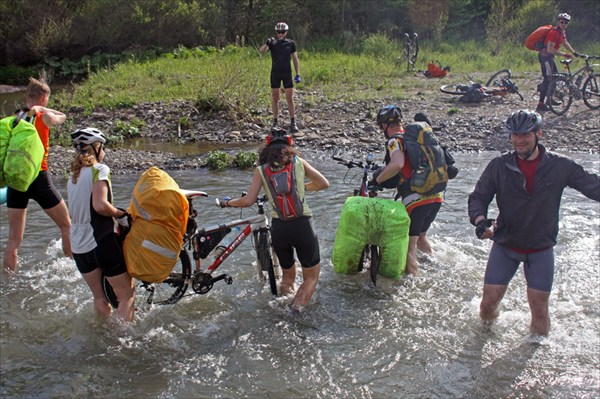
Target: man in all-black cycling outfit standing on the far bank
282, 50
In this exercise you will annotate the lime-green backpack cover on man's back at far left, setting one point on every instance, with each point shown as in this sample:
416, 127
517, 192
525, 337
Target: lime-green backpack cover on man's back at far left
21, 153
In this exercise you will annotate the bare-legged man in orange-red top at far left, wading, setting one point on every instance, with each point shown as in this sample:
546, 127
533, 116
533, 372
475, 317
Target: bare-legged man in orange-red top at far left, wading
42, 189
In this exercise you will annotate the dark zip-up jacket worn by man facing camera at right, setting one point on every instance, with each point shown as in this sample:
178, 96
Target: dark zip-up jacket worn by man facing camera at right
529, 221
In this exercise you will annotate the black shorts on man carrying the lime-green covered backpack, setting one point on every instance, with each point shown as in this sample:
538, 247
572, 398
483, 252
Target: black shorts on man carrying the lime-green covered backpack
42, 191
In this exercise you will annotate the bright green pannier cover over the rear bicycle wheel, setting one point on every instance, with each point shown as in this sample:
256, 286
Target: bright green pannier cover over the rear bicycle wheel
374, 221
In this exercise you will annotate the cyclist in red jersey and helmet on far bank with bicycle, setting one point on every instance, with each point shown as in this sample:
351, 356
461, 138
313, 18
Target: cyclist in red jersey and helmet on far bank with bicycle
554, 39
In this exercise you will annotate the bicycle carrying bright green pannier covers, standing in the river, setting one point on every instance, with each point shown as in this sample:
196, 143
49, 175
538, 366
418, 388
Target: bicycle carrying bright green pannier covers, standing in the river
369, 259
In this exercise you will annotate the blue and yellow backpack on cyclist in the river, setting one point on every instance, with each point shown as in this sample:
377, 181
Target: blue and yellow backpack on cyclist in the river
427, 159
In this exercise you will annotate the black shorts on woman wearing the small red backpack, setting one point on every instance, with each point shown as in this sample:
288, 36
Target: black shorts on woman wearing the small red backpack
299, 234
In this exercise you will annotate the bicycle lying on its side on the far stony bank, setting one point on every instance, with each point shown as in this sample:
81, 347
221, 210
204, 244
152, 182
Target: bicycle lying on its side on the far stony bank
499, 84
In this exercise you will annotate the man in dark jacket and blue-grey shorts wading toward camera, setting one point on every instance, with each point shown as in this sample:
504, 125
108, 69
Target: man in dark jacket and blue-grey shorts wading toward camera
528, 184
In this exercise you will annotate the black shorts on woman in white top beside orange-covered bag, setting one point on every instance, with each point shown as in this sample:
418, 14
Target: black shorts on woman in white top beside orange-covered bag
108, 256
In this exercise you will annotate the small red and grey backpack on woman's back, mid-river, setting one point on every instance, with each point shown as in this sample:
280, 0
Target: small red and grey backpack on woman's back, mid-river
283, 190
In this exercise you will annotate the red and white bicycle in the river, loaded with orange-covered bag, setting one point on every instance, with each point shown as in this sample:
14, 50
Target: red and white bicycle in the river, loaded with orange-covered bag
201, 242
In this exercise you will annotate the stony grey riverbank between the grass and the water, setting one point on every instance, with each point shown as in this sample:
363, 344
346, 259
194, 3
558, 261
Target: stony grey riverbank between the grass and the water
342, 127
